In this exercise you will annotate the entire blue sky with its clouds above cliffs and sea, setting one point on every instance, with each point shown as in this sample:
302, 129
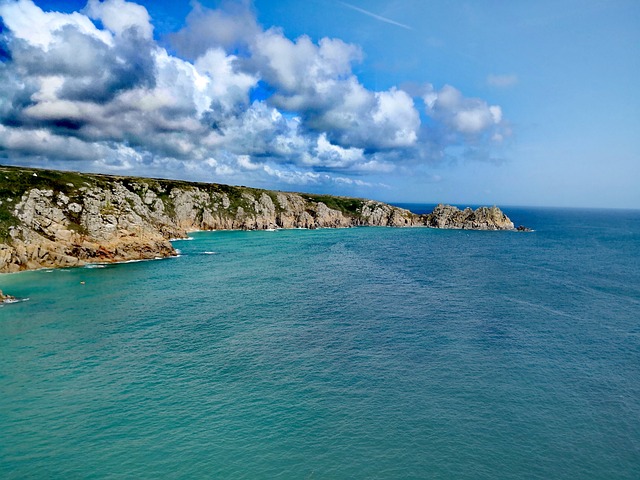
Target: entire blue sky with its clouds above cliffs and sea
483, 102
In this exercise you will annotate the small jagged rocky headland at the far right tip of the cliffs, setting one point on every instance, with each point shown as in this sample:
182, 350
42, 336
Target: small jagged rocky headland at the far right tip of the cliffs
483, 218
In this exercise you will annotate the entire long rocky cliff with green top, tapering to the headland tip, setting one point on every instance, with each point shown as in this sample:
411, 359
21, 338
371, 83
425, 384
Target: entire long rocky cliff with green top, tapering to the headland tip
59, 219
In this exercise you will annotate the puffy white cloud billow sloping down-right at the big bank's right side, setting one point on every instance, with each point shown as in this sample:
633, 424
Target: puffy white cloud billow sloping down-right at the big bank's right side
316, 80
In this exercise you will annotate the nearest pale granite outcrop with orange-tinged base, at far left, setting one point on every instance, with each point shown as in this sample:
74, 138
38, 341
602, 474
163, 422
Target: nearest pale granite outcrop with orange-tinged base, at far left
96, 225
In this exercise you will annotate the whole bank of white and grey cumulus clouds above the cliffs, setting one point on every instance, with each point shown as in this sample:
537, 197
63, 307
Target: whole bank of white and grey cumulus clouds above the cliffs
237, 103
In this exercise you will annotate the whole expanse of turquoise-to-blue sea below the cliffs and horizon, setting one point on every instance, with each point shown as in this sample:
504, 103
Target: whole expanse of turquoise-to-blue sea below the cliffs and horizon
357, 353
